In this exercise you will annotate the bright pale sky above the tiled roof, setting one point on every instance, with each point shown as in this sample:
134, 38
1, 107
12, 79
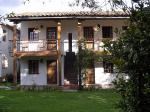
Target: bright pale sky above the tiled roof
18, 6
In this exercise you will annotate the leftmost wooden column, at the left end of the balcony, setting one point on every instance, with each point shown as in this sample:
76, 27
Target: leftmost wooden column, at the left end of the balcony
14, 55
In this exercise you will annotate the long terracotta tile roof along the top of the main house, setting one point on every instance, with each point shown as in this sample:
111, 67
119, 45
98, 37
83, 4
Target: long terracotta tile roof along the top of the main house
66, 15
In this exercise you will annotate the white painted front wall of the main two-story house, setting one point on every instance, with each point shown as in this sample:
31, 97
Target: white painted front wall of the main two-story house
68, 26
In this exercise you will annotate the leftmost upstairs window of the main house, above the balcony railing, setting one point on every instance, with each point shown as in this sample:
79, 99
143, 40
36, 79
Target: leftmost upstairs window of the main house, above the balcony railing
33, 34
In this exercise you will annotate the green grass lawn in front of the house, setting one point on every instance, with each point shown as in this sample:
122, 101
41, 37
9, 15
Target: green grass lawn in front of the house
85, 101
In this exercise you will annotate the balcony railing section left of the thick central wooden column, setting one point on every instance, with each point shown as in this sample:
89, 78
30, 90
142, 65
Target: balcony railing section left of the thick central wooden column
40, 45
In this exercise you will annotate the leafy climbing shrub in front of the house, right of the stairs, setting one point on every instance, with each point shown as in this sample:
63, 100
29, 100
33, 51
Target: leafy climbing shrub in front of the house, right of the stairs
85, 59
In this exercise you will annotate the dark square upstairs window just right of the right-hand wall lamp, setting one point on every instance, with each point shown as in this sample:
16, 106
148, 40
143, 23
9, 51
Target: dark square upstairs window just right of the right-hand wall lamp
107, 32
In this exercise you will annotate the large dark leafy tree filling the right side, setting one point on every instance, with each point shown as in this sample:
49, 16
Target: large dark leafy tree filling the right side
130, 54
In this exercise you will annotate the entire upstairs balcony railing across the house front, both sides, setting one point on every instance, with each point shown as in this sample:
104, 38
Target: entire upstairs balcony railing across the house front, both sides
51, 45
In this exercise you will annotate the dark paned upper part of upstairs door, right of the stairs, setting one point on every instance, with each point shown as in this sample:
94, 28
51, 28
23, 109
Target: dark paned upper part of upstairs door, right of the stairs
88, 33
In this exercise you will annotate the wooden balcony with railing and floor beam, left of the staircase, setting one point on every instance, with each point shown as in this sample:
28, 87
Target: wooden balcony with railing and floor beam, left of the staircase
42, 48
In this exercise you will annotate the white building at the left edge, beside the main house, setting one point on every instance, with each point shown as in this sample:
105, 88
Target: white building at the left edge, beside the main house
6, 59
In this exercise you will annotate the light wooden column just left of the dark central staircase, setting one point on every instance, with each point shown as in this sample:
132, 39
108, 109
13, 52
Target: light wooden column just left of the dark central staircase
59, 52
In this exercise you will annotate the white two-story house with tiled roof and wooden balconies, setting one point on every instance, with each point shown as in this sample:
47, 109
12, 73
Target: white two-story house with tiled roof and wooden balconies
48, 45
